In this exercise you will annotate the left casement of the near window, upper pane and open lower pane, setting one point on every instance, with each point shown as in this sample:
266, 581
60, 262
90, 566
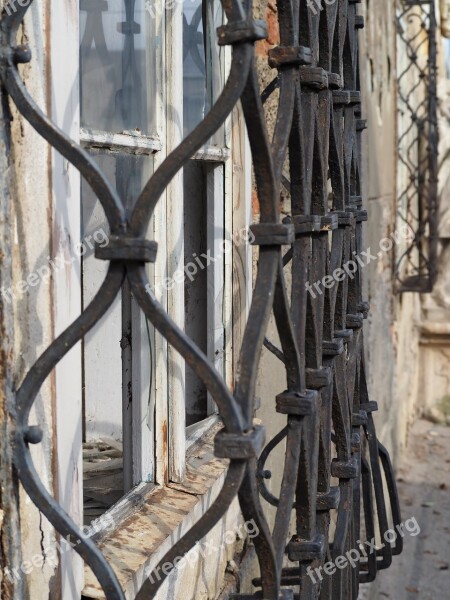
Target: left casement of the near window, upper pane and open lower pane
118, 124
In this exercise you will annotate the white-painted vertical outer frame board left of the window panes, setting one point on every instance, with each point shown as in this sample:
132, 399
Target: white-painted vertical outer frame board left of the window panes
66, 218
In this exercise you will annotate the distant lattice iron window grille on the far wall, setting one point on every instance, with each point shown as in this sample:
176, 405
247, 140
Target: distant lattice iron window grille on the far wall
417, 145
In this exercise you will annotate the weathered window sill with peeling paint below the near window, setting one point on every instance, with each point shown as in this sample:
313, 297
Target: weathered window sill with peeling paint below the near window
160, 516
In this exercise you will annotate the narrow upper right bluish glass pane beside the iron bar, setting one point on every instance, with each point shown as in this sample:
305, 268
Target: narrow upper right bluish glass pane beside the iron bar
203, 59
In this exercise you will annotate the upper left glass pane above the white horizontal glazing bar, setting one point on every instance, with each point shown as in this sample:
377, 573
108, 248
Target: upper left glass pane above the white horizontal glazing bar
117, 66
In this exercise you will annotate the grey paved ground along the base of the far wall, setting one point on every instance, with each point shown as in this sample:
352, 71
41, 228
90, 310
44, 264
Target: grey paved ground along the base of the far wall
423, 570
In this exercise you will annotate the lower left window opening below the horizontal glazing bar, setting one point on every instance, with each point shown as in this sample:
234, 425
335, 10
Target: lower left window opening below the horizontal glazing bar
107, 367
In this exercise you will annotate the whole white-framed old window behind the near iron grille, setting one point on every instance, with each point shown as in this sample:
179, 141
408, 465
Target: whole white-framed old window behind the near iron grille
138, 396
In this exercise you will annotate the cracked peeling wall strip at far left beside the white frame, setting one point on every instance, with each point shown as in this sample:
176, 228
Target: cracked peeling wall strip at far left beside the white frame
29, 227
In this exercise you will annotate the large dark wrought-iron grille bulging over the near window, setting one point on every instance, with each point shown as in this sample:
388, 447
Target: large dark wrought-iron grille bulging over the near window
333, 462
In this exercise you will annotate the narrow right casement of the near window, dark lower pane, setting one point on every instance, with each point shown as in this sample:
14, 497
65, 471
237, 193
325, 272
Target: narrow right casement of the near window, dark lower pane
204, 189
